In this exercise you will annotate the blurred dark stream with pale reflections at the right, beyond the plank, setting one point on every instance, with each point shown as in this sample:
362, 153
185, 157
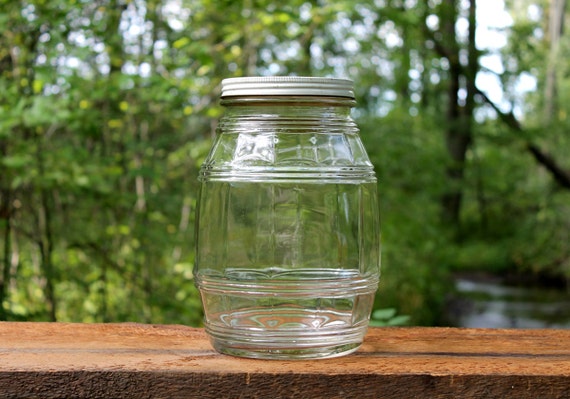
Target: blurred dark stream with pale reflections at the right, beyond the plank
482, 301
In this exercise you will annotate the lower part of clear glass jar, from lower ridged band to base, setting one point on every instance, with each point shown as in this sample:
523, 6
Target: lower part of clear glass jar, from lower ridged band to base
283, 313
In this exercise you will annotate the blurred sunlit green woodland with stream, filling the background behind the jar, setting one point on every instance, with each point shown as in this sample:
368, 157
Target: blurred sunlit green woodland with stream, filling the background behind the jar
108, 107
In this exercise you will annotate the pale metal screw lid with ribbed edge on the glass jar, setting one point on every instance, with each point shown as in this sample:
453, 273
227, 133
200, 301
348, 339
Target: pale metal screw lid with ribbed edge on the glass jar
287, 86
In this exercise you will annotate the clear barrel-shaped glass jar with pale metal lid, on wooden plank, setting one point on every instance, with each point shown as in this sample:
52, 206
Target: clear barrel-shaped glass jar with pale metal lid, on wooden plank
288, 240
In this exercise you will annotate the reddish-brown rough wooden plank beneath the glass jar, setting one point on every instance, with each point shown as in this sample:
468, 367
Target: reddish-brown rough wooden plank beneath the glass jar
131, 360
